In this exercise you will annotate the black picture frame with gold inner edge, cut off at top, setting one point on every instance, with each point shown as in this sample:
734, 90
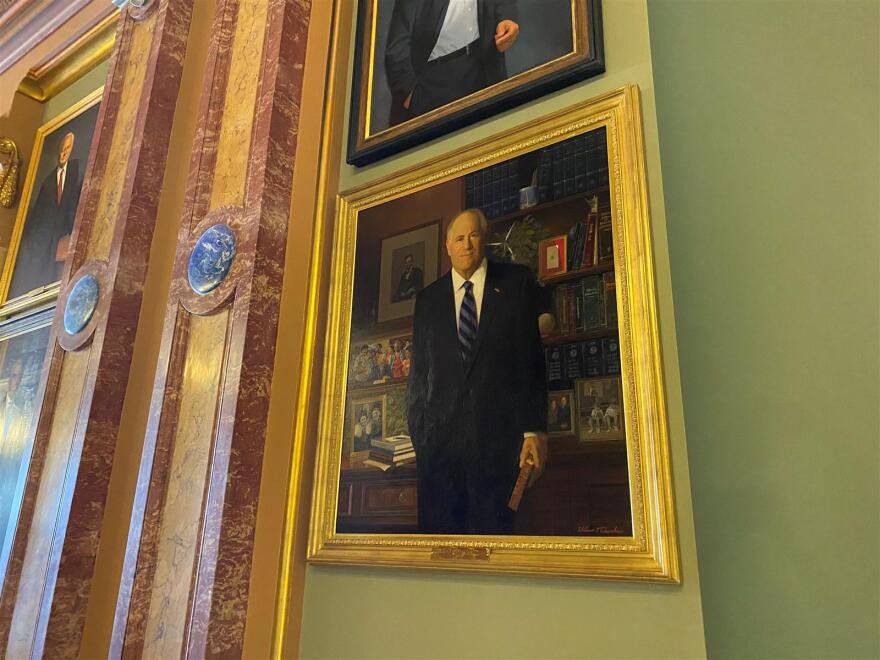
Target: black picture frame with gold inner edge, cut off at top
521, 88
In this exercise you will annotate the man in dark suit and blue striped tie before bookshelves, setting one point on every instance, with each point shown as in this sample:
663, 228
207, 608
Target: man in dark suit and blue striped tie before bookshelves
477, 396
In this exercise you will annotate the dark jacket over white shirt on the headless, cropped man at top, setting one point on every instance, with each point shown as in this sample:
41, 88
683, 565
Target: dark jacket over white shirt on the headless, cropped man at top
412, 34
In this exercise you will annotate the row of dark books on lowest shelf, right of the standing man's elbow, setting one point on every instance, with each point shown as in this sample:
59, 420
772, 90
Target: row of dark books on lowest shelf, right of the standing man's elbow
591, 358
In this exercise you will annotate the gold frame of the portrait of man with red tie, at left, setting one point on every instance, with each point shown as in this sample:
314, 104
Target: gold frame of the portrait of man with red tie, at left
49, 291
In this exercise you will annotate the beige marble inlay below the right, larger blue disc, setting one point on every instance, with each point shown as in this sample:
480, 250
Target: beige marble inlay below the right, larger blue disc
179, 536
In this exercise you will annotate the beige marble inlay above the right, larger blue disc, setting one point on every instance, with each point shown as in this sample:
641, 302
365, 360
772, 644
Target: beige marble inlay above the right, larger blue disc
233, 148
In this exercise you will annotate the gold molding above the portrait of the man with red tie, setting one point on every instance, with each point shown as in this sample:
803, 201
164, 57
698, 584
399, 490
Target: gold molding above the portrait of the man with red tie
72, 62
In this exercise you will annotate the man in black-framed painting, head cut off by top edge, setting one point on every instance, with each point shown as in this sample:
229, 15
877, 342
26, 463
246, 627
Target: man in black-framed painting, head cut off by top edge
439, 51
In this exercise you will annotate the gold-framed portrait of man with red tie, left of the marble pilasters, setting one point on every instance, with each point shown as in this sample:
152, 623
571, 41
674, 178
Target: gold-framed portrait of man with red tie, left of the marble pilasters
49, 199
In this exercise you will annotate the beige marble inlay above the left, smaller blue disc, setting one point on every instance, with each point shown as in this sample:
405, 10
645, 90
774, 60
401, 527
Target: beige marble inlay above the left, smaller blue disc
113, 182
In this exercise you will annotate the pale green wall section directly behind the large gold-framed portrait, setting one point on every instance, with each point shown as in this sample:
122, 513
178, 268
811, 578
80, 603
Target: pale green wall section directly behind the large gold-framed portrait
370, 613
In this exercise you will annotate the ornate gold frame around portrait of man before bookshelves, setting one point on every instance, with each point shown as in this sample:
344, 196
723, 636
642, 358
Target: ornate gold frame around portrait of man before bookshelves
647, 549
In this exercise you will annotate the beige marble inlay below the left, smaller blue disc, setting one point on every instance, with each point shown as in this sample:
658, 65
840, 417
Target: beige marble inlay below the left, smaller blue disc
73, 375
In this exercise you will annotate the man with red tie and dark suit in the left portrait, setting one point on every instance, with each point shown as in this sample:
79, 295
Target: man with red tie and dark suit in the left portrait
46, 234
